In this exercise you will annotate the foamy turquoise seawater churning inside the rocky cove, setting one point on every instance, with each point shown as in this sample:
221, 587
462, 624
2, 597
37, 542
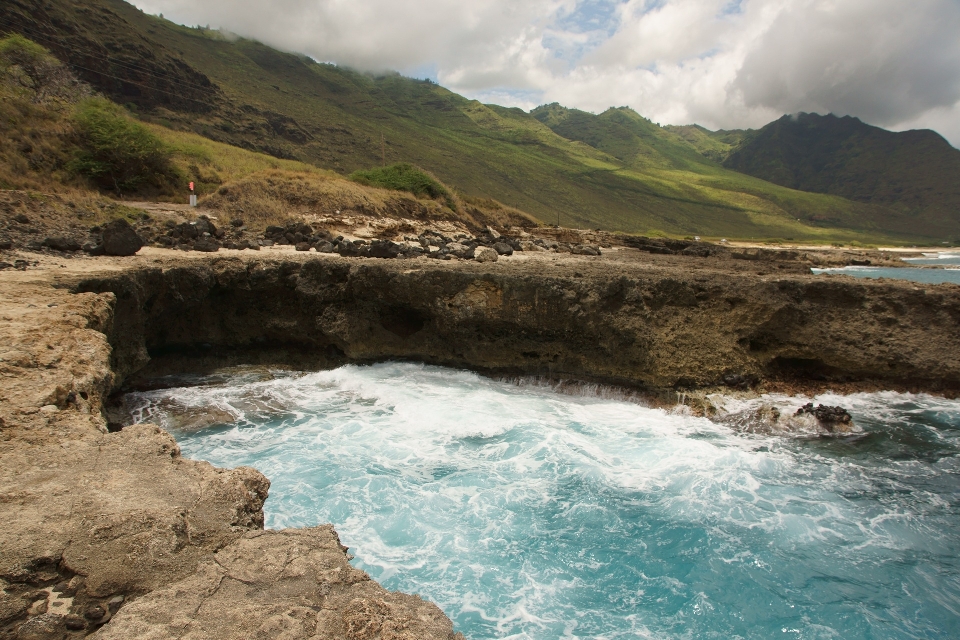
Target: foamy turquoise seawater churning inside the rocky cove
527, 513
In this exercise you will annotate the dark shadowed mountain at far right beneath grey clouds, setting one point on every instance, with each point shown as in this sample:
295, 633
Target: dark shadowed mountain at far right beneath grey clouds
916, 172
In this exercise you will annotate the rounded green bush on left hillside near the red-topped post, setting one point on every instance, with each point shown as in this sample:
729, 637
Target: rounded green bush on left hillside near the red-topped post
117, 153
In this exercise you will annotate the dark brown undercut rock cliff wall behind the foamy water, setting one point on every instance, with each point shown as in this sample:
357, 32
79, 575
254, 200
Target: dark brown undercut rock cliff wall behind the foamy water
654, 325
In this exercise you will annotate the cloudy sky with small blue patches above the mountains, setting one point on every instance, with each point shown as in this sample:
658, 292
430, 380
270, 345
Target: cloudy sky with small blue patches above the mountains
719, 63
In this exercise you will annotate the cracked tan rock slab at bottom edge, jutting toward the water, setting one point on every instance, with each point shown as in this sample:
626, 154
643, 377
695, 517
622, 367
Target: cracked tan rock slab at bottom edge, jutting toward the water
294, 583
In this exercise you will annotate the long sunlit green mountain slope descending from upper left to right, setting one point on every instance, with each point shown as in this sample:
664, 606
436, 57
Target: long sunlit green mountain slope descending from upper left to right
615, 170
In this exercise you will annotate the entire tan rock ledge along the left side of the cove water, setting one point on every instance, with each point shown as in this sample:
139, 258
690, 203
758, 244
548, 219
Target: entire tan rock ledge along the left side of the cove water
116, 535
